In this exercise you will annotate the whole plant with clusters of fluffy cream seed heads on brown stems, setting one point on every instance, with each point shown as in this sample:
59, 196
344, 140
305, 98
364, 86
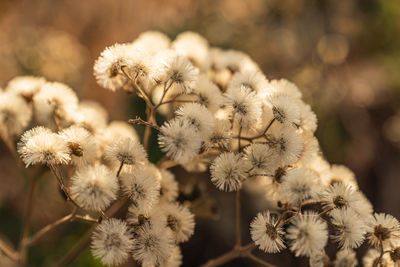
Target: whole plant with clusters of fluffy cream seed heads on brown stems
222, 115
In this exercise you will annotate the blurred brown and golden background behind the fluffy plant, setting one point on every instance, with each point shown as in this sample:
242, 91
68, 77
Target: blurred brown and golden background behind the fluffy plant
343, 55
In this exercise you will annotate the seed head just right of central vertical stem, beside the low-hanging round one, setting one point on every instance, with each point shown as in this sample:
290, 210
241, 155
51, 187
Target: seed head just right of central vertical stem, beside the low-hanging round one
262, 158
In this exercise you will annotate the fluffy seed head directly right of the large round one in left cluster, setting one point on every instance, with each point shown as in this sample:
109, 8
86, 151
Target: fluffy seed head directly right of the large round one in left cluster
141, 187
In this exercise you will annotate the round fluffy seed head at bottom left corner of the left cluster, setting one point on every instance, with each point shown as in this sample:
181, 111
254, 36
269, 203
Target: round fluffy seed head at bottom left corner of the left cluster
112, 242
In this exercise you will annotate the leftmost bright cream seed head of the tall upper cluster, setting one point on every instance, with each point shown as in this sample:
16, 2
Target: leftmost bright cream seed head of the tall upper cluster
108, 68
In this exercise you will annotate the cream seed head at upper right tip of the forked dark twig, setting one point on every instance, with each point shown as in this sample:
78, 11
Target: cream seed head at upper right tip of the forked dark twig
285, 109
